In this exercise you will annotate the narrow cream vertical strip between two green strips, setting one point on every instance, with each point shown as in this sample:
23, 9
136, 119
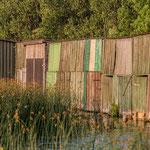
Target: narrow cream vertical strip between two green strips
92, 55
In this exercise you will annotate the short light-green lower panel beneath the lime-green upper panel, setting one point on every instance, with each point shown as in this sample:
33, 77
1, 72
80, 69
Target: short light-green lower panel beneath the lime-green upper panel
51, 78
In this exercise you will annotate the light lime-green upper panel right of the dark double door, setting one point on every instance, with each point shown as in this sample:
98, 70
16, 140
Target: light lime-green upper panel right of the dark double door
54, 57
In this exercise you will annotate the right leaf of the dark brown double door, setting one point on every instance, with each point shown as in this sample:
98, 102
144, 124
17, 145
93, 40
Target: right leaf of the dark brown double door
39, 71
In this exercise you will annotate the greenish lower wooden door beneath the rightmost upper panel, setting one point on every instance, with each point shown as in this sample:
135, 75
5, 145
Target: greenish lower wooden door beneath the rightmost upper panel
139, 92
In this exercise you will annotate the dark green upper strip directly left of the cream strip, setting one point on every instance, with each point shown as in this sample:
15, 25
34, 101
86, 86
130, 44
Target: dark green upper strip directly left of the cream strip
87, 55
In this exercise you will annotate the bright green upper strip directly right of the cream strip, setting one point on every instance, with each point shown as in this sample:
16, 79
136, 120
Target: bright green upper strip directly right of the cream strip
98, 49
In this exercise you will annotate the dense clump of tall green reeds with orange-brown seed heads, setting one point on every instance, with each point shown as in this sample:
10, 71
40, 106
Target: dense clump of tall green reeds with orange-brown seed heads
30, 115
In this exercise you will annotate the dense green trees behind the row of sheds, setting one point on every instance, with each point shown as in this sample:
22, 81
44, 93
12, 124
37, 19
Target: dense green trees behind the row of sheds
68, 19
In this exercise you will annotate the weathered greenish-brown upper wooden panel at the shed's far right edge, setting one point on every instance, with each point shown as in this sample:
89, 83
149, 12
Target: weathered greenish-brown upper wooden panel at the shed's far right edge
141, 55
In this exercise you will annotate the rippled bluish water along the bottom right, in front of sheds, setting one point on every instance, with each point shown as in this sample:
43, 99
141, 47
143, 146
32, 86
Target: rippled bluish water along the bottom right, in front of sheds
124, 138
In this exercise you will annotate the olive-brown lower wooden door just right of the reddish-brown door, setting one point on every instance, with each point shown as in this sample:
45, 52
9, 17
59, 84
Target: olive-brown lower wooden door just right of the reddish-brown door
107, 93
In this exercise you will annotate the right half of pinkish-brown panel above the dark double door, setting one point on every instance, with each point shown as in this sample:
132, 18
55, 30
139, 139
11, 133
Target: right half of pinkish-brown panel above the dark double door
39, 50
